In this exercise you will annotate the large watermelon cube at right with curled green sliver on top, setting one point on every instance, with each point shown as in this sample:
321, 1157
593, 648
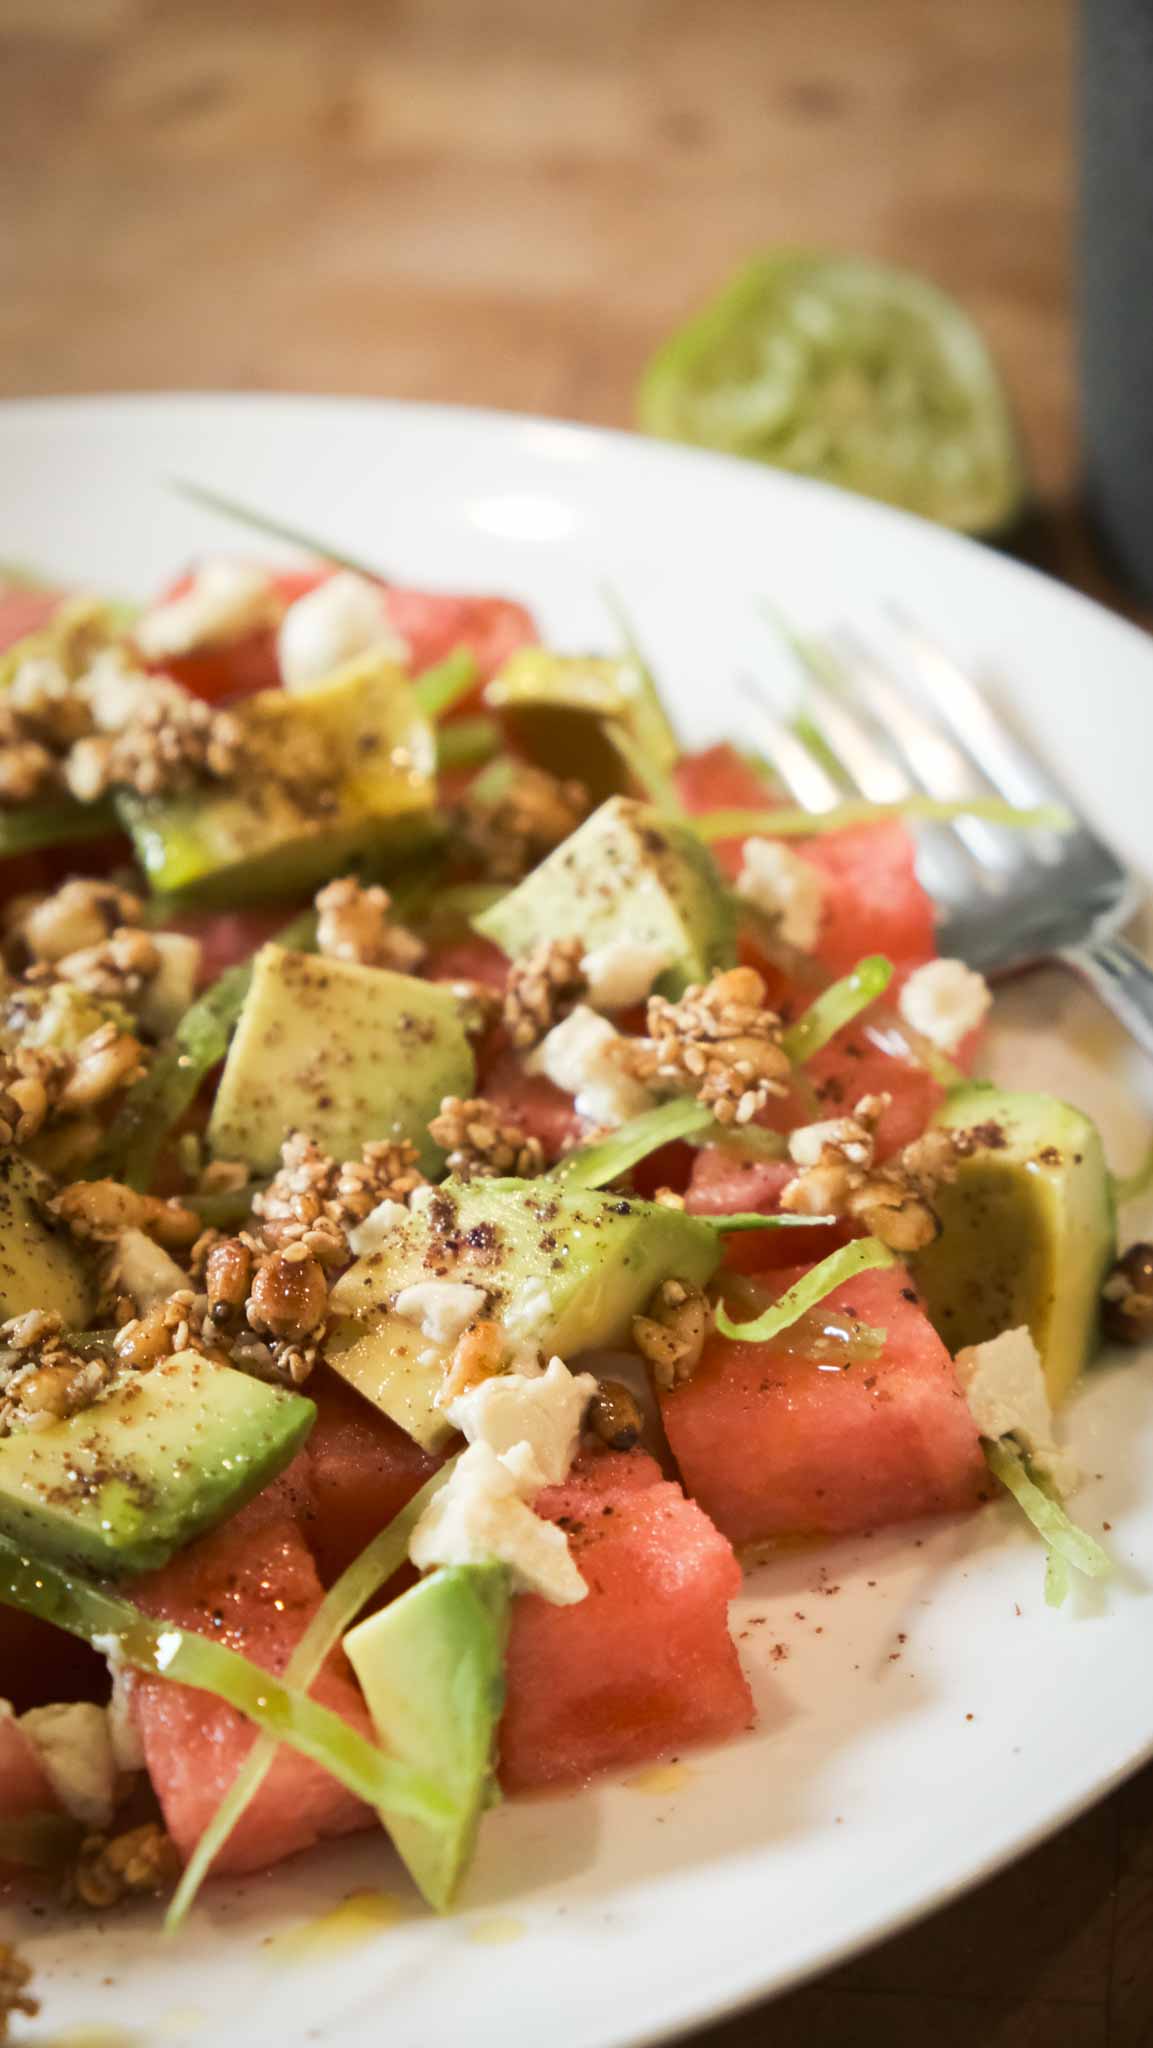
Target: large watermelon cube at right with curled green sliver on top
787, 1447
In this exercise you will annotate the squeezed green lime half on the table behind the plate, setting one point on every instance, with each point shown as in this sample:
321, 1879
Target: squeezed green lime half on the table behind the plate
851, 372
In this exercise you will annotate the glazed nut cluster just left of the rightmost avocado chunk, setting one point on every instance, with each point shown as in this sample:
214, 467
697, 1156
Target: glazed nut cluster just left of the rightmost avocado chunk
841, 1179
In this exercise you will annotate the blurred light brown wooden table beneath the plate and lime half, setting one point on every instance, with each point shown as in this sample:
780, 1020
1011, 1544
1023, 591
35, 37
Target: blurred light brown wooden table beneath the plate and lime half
507, 202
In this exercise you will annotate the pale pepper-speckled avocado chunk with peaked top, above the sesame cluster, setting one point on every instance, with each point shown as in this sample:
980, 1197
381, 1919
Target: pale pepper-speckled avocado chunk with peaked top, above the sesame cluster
626, 876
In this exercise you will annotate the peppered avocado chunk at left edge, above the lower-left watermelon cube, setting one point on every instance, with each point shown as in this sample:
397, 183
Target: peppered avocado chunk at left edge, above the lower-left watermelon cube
159, 1459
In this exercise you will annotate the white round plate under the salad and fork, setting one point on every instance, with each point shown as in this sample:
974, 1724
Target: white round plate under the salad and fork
931, 1717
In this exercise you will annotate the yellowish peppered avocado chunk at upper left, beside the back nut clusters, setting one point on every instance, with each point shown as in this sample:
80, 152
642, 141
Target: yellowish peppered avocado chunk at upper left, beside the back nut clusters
331, 777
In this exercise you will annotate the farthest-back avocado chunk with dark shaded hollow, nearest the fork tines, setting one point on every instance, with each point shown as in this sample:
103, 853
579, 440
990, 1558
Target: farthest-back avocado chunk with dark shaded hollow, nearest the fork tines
562, 712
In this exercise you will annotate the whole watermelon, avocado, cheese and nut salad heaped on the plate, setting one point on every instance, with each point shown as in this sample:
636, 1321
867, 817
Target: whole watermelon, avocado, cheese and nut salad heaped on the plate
474, 1179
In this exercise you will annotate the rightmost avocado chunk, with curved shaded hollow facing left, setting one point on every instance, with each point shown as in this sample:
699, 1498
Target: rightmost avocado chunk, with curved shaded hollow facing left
1027, 1230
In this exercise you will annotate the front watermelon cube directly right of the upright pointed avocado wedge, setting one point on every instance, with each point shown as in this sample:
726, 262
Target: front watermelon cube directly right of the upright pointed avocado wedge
646, 1664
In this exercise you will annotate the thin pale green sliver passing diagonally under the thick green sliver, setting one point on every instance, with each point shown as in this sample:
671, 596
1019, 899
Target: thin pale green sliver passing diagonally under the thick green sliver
337, 1613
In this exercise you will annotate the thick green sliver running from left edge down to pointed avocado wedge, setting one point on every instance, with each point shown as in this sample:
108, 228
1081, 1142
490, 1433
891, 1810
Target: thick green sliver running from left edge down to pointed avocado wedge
97, 1617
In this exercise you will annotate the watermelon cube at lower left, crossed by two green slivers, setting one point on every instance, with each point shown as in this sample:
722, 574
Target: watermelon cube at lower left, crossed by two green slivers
255, 1588
